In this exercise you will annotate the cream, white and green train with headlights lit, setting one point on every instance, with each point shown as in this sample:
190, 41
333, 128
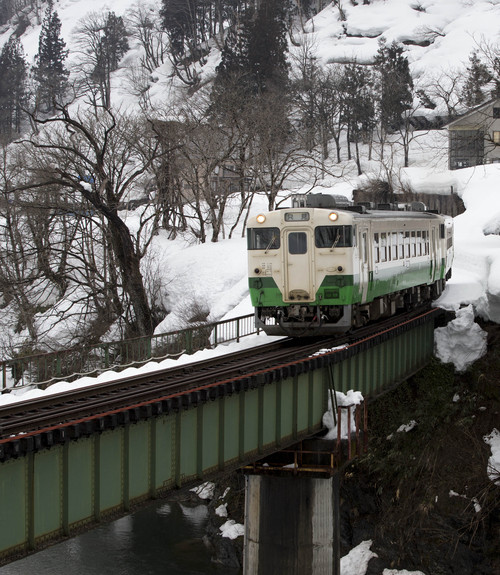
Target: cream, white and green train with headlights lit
326, 266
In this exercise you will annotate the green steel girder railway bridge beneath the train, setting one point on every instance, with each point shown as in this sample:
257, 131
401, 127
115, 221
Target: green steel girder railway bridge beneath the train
70, 471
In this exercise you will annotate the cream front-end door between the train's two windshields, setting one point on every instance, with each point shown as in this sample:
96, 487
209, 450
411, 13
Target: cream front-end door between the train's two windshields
298, 265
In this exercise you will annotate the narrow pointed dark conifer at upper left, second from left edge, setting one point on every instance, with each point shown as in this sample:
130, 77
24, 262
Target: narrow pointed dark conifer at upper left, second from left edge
49, 72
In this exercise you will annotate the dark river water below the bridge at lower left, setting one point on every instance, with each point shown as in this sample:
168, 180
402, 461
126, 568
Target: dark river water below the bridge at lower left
162, 539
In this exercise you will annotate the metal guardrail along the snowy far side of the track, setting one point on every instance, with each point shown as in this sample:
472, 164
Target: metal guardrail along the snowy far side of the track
45, 369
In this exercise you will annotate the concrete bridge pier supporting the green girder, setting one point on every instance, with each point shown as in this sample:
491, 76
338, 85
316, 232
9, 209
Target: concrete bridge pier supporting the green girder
292, 525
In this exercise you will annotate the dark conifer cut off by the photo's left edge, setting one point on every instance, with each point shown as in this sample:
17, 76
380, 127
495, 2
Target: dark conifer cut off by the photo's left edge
12, 88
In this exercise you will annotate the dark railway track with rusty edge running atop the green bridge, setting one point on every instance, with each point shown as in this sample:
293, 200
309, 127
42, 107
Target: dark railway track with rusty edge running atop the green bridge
36, 423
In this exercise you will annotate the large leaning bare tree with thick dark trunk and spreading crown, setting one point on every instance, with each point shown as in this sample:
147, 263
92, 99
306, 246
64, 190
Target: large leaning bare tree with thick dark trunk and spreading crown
97, 157
